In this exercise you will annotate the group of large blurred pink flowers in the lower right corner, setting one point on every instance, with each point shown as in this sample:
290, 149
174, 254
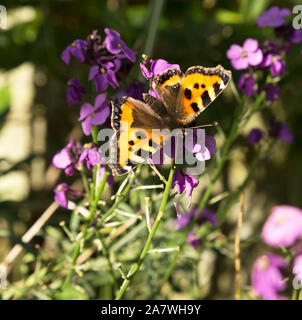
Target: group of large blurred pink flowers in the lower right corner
282, 229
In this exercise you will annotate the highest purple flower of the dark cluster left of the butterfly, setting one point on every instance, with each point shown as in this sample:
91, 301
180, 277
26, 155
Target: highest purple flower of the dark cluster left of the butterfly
115, 44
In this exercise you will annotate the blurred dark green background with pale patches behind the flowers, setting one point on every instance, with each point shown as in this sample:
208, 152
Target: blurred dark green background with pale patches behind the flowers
35, 121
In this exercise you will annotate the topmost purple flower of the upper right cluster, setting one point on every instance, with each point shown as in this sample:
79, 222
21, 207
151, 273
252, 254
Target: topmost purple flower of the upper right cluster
273, 17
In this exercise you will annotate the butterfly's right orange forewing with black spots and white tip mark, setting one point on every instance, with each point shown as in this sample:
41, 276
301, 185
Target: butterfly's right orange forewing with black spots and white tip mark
199, 88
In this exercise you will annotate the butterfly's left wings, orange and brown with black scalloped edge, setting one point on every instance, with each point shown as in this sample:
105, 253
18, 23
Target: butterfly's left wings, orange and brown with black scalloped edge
138, 134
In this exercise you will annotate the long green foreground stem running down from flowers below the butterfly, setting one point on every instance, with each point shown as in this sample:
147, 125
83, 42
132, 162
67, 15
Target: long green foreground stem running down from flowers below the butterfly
133, 270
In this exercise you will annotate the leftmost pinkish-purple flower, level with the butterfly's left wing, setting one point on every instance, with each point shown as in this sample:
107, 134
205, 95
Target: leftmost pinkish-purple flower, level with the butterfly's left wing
68, 157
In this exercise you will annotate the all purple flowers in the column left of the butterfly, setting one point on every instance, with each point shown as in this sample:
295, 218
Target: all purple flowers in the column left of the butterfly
108, 63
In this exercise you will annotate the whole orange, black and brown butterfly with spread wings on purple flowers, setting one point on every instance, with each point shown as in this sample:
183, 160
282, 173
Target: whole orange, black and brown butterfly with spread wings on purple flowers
183, 96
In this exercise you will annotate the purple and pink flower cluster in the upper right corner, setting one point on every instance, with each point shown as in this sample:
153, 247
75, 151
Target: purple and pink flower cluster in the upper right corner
270, 56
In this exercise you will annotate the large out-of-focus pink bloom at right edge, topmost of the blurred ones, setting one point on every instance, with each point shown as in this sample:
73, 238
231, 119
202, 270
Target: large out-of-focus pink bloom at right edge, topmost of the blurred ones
283, 227
